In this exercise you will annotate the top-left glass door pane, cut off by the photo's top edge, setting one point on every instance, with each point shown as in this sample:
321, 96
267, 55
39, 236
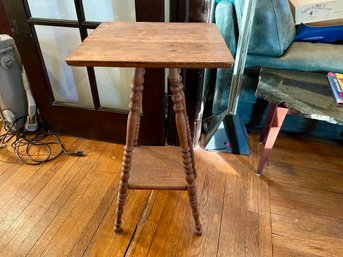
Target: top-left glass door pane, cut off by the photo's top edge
52, 9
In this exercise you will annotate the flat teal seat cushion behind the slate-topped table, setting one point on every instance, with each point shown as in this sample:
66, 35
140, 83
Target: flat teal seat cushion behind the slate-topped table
303, 56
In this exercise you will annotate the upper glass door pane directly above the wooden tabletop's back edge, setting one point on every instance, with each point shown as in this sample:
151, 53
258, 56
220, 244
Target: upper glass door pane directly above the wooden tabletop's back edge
109, 10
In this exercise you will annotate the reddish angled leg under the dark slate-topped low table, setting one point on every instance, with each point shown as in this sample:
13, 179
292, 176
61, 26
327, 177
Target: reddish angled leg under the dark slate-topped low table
276, 116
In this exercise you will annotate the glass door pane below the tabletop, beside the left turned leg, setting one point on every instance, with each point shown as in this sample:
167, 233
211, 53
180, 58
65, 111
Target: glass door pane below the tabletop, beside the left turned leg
114, 87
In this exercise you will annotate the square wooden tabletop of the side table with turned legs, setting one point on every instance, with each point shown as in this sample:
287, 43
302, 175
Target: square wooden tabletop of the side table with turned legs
153, 45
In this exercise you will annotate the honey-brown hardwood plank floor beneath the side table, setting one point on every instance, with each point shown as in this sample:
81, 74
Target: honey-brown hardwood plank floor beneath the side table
67, 207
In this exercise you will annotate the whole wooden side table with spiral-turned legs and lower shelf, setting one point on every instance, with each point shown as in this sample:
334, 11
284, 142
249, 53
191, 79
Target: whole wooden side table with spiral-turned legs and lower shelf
155, 45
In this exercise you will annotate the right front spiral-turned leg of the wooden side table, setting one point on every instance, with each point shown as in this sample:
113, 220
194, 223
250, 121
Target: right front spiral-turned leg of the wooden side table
181, 124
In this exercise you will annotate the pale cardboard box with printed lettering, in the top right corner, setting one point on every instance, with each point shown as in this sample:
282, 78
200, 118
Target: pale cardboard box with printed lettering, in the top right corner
313, 11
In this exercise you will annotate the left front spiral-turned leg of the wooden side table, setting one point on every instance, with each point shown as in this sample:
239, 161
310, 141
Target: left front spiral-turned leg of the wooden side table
131, 131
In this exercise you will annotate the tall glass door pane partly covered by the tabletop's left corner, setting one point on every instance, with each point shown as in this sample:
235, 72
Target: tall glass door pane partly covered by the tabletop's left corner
70, 85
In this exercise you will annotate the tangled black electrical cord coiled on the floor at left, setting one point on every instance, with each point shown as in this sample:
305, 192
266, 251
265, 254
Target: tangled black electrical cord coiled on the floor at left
25, 141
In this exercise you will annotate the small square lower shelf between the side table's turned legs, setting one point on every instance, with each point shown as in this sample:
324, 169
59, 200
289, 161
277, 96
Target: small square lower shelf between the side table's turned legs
157, 167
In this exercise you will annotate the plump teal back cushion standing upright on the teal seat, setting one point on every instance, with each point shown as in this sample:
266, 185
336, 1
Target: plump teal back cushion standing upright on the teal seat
273, 26
